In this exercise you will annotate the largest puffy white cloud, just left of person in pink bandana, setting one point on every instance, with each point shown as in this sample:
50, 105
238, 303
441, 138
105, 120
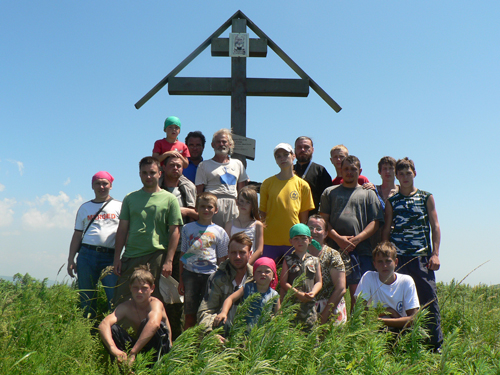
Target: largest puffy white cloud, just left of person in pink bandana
51, 211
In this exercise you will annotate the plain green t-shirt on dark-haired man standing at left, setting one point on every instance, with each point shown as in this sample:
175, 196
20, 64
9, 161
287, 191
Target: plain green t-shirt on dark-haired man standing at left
149, 216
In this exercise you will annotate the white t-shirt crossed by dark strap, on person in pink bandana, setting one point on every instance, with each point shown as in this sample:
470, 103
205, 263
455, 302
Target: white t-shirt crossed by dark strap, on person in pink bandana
102, 232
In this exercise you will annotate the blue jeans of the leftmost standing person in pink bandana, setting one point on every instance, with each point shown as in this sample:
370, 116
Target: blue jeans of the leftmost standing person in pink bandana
89, 266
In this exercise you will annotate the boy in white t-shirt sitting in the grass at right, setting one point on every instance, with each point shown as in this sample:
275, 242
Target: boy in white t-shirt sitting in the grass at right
395, 291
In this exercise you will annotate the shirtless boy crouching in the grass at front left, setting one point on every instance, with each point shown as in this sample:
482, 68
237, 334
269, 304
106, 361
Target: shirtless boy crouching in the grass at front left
144, 314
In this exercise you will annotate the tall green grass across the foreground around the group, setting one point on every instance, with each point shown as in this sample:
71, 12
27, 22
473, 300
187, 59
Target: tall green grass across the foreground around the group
42, 331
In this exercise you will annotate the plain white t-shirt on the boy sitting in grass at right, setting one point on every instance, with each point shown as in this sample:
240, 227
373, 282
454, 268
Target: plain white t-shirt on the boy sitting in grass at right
401, 295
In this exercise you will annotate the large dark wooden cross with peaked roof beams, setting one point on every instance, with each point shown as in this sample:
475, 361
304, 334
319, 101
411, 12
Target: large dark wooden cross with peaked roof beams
239, 86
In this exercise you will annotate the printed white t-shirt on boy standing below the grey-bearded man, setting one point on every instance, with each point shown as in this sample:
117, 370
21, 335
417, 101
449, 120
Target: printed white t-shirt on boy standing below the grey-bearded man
201, 246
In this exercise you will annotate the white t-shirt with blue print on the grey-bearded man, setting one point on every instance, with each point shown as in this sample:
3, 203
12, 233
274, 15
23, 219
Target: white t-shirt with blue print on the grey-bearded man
221, 178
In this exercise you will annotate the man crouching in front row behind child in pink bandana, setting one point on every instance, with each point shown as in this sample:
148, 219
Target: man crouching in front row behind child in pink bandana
231, 275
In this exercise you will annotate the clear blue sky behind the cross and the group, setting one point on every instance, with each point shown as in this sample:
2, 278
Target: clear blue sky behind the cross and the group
417, 79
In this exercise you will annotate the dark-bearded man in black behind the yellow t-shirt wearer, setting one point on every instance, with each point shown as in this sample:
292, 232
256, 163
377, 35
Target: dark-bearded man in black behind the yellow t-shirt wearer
316, 175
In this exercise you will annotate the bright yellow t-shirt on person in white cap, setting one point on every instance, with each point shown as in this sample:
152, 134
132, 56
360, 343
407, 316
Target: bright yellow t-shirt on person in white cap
282, 201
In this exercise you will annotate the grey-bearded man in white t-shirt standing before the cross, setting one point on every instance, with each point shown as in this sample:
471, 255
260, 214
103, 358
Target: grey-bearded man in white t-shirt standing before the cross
222, 176
